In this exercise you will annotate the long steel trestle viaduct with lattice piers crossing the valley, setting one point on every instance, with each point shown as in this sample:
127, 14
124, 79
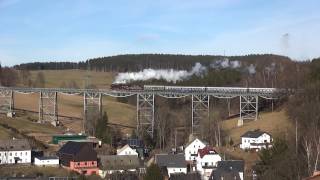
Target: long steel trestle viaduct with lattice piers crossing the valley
92, 98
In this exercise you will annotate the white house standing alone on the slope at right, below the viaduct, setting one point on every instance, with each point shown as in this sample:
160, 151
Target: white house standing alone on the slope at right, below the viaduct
256, 140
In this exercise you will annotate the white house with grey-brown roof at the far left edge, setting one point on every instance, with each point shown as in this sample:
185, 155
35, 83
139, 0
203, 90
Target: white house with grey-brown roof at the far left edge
16, 151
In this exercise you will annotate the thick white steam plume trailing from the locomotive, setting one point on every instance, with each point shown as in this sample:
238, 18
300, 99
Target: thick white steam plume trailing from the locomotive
169, 75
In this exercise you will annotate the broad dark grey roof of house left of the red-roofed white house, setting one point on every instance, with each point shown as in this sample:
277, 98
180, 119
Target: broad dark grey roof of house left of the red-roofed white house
170, 160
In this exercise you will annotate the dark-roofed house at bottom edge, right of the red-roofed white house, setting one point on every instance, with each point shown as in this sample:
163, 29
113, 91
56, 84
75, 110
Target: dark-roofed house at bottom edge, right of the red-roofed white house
231, 169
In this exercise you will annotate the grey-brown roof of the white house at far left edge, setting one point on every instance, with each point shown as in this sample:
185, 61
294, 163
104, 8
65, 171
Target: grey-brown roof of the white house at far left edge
15, 145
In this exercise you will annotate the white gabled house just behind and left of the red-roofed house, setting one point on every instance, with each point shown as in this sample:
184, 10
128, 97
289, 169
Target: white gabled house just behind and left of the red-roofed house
191, 150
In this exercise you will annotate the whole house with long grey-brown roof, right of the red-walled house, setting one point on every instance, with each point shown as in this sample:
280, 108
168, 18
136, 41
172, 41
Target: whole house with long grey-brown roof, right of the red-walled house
110, 164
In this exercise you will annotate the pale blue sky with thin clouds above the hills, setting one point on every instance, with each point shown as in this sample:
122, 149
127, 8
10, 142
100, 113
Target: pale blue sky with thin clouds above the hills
74, 30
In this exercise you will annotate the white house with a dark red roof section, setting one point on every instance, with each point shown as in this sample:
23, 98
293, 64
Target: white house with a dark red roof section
207, 161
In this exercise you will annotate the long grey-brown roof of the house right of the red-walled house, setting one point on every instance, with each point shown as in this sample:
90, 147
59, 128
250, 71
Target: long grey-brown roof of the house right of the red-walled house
119, 162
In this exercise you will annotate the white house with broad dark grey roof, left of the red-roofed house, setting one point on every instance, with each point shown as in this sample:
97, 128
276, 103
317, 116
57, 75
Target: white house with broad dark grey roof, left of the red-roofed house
172, 163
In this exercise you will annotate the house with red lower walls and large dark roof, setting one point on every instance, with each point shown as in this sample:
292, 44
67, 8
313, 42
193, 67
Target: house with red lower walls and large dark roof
79, 157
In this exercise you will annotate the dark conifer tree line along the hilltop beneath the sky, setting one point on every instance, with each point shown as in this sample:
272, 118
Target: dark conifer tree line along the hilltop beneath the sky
137, 62
